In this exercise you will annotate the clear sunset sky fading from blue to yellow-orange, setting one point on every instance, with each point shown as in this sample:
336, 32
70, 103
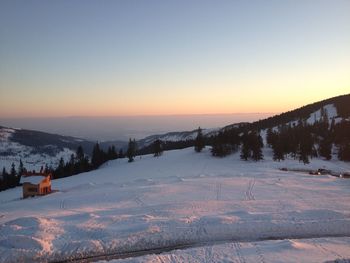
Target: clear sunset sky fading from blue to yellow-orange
105, 58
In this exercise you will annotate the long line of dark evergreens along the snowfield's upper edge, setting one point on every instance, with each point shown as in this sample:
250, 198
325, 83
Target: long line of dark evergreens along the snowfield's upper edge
300, 140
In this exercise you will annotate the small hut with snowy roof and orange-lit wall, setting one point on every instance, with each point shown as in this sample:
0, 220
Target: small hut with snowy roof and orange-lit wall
36, 184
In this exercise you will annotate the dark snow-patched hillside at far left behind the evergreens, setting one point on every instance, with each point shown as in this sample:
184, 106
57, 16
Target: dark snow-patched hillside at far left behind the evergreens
36, 148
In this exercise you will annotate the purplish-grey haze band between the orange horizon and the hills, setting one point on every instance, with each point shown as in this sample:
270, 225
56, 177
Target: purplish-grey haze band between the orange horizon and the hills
107, 128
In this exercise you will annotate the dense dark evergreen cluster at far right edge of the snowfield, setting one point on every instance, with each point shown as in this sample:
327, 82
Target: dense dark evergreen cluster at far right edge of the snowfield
303, 141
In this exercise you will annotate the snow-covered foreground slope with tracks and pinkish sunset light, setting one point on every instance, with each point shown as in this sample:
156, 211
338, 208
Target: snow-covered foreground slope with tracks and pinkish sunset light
219, 209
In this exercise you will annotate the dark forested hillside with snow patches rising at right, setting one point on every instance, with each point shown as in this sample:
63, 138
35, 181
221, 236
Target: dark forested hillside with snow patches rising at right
318, 130
